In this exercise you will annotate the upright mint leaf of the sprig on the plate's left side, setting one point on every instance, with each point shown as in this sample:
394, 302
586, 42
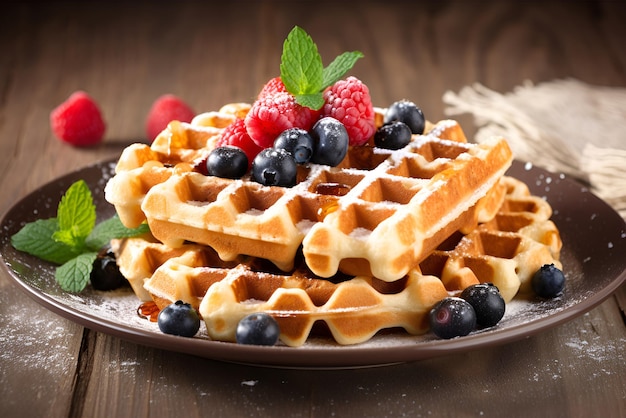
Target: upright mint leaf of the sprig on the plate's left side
76, 214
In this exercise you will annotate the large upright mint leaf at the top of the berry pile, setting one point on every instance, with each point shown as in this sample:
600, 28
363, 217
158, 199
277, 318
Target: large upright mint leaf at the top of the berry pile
301, 64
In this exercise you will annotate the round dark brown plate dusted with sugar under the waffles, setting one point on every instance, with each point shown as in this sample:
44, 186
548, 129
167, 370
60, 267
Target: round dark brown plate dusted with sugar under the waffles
593, 256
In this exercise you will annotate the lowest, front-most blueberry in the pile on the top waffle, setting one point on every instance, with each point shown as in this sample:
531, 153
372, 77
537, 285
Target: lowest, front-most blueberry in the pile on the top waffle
274, 167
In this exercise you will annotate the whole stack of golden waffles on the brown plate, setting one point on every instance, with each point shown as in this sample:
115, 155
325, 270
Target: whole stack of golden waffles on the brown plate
370, 244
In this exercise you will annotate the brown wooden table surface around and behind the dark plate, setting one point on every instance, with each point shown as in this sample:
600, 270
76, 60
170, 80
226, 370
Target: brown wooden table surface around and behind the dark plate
127, 54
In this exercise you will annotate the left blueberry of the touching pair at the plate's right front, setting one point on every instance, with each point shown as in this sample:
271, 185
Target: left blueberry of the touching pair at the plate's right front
452, 317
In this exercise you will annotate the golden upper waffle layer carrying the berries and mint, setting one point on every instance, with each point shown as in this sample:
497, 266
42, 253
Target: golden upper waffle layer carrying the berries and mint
395, 200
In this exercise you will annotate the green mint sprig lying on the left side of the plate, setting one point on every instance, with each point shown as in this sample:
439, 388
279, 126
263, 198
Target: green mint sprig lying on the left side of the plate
72, 239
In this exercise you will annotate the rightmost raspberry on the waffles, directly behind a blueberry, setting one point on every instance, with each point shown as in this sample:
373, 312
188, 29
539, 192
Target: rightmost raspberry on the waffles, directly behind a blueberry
349, 102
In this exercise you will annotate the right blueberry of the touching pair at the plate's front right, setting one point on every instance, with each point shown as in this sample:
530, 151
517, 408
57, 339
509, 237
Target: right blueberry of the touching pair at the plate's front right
487, 302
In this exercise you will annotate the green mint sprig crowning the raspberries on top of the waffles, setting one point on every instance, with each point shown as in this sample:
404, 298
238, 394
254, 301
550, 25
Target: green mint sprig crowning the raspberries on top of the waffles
302, 70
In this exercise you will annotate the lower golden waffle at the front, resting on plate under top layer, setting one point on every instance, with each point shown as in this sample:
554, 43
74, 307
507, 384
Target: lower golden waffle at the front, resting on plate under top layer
353, 309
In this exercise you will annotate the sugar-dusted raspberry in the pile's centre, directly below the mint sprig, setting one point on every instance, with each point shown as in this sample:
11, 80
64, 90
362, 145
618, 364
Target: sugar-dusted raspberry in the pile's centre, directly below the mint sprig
274, 113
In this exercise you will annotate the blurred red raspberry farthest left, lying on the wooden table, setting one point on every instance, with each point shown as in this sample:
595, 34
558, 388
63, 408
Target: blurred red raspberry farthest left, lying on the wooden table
78, 120
